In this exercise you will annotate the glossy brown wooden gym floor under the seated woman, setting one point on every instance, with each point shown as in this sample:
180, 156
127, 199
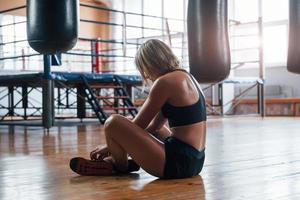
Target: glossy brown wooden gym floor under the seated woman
246, 158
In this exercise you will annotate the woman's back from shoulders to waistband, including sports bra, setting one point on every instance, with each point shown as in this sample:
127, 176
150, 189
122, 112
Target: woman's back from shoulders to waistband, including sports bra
185, 109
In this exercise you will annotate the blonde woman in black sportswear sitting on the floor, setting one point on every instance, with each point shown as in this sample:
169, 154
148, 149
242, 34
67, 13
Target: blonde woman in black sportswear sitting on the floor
174, 152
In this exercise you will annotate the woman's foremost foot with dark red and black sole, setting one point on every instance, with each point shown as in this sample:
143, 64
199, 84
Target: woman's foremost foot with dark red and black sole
86, 167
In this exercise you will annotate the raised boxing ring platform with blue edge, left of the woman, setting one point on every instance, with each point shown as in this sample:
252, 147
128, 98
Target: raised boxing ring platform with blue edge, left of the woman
113, 92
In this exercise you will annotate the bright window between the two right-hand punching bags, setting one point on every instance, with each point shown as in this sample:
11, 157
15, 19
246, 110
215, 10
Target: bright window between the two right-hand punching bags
275, 30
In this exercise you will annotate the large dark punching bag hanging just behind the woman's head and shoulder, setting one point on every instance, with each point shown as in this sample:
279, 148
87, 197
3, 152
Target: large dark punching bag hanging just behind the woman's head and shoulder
209, 53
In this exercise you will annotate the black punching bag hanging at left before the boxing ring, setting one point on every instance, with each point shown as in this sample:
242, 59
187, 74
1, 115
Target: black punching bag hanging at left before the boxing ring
52, 25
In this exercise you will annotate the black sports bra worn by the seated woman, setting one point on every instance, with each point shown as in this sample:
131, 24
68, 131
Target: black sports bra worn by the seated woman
185, 115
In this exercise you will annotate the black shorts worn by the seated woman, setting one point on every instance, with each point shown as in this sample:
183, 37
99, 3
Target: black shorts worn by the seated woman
182, 159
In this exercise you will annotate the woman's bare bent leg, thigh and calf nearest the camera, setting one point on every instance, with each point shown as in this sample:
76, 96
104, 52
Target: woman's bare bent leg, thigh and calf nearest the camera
124, 137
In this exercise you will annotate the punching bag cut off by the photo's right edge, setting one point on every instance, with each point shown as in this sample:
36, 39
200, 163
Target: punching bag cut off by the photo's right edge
293, 61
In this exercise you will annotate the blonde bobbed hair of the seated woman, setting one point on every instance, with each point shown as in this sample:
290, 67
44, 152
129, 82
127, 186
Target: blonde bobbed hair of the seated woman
155, 58
